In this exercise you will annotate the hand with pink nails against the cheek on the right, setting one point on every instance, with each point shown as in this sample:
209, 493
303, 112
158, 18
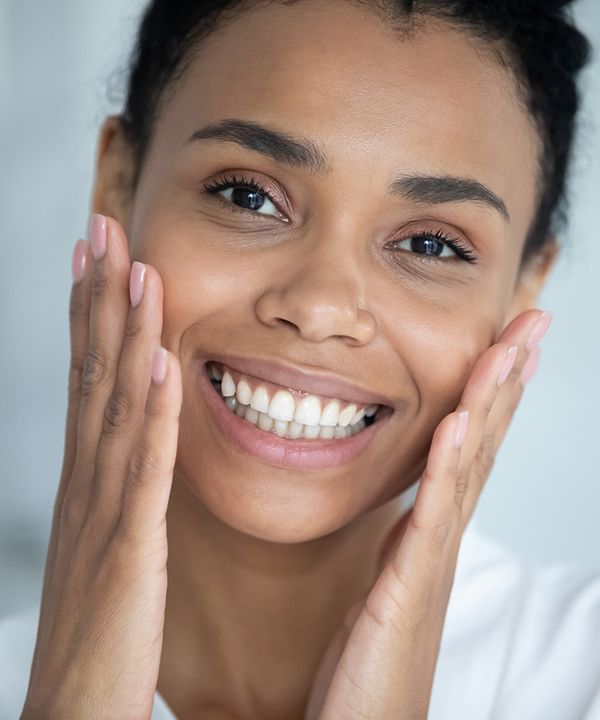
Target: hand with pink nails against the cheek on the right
381, 663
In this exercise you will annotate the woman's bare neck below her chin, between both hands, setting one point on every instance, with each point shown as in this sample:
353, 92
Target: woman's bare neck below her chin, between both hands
247, 621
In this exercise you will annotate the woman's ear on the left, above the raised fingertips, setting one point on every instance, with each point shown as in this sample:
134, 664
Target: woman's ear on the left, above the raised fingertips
113, 188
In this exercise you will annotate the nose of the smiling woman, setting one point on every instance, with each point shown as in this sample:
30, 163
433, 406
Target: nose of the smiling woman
319, 295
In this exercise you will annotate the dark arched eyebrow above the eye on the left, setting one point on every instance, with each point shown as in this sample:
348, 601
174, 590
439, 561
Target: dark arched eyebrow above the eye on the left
275, 144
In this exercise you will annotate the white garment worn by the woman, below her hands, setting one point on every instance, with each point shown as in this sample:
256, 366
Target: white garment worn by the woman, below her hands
520, 642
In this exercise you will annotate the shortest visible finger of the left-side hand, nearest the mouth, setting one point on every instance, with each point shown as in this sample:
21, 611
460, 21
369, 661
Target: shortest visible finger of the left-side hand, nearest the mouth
148, 485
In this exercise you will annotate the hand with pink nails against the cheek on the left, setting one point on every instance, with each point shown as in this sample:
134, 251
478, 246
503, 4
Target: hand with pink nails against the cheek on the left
101, 620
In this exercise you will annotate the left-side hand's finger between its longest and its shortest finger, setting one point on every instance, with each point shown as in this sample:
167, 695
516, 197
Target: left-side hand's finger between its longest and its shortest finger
124, 413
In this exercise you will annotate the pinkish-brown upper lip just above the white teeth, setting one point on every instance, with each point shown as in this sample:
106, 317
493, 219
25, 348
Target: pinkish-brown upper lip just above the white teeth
295, 378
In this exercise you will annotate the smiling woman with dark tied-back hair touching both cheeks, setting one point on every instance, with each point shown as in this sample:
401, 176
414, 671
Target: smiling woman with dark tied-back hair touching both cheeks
319, 231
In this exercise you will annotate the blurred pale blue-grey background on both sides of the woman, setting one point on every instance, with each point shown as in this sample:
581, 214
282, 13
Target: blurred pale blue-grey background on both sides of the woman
61, 70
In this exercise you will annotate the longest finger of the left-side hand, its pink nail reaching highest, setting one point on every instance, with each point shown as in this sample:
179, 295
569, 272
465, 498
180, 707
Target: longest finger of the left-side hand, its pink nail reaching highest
108, 311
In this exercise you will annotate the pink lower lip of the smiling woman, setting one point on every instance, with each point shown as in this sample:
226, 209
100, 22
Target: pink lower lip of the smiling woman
271, 448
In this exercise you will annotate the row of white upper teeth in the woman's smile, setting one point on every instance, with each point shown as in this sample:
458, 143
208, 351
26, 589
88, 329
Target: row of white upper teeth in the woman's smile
282, 405
